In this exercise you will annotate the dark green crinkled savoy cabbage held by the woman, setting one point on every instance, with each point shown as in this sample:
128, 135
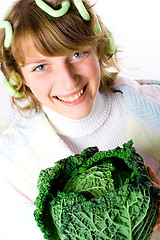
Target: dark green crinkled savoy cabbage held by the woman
96, 196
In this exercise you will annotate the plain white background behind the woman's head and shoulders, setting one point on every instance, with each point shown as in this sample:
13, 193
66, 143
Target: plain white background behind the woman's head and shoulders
135, 27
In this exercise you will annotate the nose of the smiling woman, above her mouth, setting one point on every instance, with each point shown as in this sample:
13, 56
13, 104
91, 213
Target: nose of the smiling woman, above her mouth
68, 76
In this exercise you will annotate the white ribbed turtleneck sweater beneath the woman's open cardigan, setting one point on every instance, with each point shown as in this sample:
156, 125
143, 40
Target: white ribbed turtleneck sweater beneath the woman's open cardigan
104, 127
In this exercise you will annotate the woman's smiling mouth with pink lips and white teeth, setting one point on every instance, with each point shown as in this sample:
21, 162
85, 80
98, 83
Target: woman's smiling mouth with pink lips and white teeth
73, 99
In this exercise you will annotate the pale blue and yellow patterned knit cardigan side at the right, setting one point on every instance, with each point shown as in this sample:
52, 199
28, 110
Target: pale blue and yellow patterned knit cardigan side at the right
142, 103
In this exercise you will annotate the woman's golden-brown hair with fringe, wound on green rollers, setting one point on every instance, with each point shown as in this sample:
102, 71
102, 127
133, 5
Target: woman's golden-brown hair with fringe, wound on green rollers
52, 37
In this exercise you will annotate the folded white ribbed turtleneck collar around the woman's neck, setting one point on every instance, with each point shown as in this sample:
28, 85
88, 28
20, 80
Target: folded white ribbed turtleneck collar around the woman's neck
82, 127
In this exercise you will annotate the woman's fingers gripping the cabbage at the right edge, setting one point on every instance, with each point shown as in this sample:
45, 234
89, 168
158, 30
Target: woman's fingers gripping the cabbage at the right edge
156, 183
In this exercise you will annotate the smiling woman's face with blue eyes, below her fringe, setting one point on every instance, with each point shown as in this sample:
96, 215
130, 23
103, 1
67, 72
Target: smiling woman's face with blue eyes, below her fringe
66, 84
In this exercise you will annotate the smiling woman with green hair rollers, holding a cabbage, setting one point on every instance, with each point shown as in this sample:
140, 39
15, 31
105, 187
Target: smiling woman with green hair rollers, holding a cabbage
63, 76
